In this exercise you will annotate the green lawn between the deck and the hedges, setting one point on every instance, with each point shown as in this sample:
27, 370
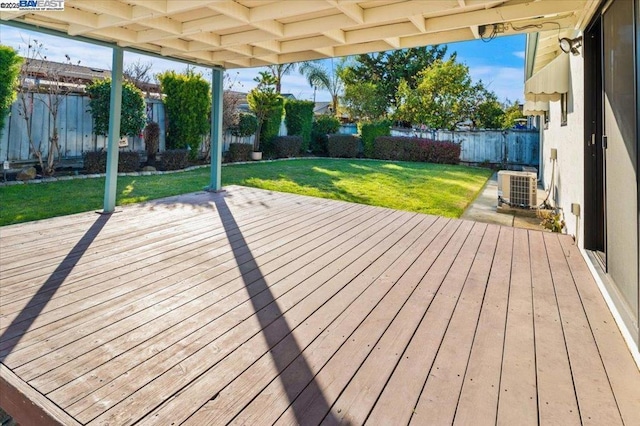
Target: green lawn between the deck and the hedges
419, 187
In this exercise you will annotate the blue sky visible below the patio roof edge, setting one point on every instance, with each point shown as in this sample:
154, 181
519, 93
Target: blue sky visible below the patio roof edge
498, 63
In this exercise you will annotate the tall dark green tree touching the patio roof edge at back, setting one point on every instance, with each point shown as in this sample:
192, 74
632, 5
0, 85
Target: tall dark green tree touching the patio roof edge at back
387, 69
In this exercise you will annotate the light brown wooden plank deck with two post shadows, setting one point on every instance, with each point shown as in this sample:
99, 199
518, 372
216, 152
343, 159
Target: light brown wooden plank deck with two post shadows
257, 307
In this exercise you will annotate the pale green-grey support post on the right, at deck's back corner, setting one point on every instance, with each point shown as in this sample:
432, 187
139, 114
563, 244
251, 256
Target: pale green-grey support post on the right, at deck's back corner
216, 128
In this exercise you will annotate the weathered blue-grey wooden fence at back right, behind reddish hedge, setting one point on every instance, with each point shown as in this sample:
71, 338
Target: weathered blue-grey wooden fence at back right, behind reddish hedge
509, 147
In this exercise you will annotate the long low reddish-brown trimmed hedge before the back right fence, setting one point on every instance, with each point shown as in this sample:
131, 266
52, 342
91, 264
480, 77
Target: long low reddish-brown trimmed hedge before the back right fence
400, 148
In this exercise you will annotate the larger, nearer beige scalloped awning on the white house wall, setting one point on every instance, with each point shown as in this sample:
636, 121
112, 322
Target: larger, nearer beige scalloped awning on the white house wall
550, 82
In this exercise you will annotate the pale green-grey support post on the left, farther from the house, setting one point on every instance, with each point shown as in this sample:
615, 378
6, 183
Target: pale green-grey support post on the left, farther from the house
115, 108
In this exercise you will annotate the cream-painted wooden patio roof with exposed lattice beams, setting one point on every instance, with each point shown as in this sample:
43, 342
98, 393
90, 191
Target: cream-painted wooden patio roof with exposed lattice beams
249, 33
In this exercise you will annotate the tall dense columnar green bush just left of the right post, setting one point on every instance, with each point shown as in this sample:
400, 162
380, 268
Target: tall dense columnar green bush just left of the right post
188, 104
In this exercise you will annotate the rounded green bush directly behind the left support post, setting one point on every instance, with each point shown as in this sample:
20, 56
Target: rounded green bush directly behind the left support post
132, 116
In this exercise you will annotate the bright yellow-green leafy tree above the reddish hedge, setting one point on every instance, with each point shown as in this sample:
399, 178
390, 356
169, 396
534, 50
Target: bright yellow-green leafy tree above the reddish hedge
444, 96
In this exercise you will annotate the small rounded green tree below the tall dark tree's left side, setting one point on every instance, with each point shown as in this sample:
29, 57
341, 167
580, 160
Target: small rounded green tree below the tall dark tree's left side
364, 101
